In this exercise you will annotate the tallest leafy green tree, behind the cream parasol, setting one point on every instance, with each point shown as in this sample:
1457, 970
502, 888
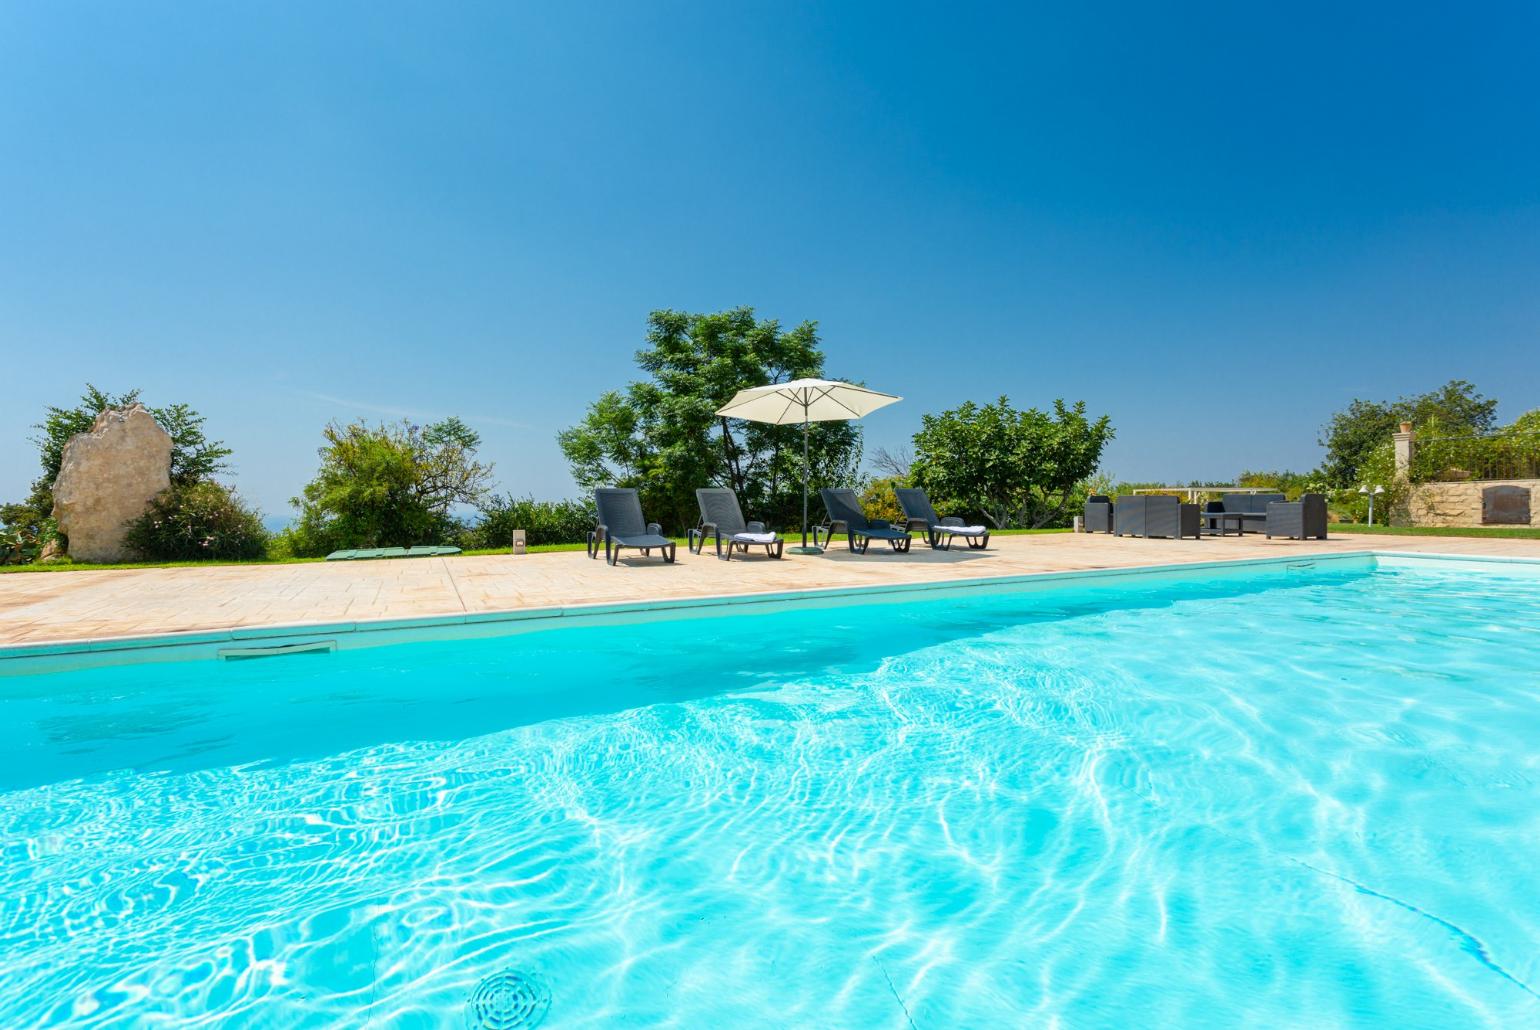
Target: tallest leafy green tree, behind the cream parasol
661, 435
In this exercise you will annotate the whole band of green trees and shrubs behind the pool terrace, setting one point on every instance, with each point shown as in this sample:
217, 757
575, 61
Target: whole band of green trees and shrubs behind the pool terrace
401, 484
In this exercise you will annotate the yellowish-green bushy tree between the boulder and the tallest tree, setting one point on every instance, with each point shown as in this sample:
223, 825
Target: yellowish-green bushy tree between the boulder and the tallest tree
389, 486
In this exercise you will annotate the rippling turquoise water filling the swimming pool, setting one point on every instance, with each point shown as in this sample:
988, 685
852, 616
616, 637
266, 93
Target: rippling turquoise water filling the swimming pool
1268, 801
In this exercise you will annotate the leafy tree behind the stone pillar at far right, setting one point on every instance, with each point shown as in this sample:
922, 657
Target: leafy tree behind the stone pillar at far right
1364, 426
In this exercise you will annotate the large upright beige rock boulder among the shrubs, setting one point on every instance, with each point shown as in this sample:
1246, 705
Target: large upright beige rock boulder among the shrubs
107, 480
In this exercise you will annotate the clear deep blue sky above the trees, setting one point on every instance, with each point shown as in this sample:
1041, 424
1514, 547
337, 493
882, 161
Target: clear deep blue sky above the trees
1216, 226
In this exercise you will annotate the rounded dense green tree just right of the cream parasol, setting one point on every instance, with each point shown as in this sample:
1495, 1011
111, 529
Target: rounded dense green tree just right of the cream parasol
1016, 469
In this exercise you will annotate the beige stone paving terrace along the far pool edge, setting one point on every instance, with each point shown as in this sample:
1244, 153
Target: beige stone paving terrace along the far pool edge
93, 606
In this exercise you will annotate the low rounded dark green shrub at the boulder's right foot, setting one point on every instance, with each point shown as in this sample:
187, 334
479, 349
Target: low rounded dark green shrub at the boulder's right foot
198, 521
